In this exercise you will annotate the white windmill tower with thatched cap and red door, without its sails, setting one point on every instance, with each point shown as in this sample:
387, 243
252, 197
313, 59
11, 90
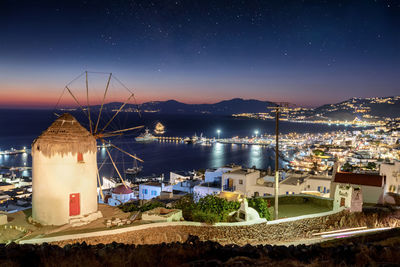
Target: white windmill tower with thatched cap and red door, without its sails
64, 182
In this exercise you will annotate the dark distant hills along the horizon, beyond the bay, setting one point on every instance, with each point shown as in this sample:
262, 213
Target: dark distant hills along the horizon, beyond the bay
363, 108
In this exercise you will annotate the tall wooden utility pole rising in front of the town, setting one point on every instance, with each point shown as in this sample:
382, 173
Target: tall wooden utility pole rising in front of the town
279, 107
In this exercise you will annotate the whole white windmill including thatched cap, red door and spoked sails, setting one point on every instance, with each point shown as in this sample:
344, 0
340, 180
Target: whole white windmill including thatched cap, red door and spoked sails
64, 163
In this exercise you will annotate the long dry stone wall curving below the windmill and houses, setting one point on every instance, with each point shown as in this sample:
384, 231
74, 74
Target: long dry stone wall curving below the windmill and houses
282, 233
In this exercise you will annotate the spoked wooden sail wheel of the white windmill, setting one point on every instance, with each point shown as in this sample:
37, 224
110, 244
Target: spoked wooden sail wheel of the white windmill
94, 112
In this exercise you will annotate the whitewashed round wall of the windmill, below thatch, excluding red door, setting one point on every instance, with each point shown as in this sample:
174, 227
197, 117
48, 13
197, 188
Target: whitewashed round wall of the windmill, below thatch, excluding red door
55, 178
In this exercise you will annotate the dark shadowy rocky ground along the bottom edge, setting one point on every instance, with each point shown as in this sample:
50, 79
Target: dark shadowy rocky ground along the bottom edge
374, 250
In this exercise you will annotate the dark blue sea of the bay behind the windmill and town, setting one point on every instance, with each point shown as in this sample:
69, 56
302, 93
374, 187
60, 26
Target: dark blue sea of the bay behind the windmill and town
19, 128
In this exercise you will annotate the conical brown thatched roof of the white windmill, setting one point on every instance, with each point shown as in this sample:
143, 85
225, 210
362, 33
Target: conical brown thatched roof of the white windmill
65, 135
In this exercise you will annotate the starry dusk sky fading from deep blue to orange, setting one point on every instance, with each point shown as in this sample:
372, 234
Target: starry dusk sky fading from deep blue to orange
305, 52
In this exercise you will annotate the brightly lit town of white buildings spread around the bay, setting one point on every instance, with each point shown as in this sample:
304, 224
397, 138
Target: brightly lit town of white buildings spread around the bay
314, 164
